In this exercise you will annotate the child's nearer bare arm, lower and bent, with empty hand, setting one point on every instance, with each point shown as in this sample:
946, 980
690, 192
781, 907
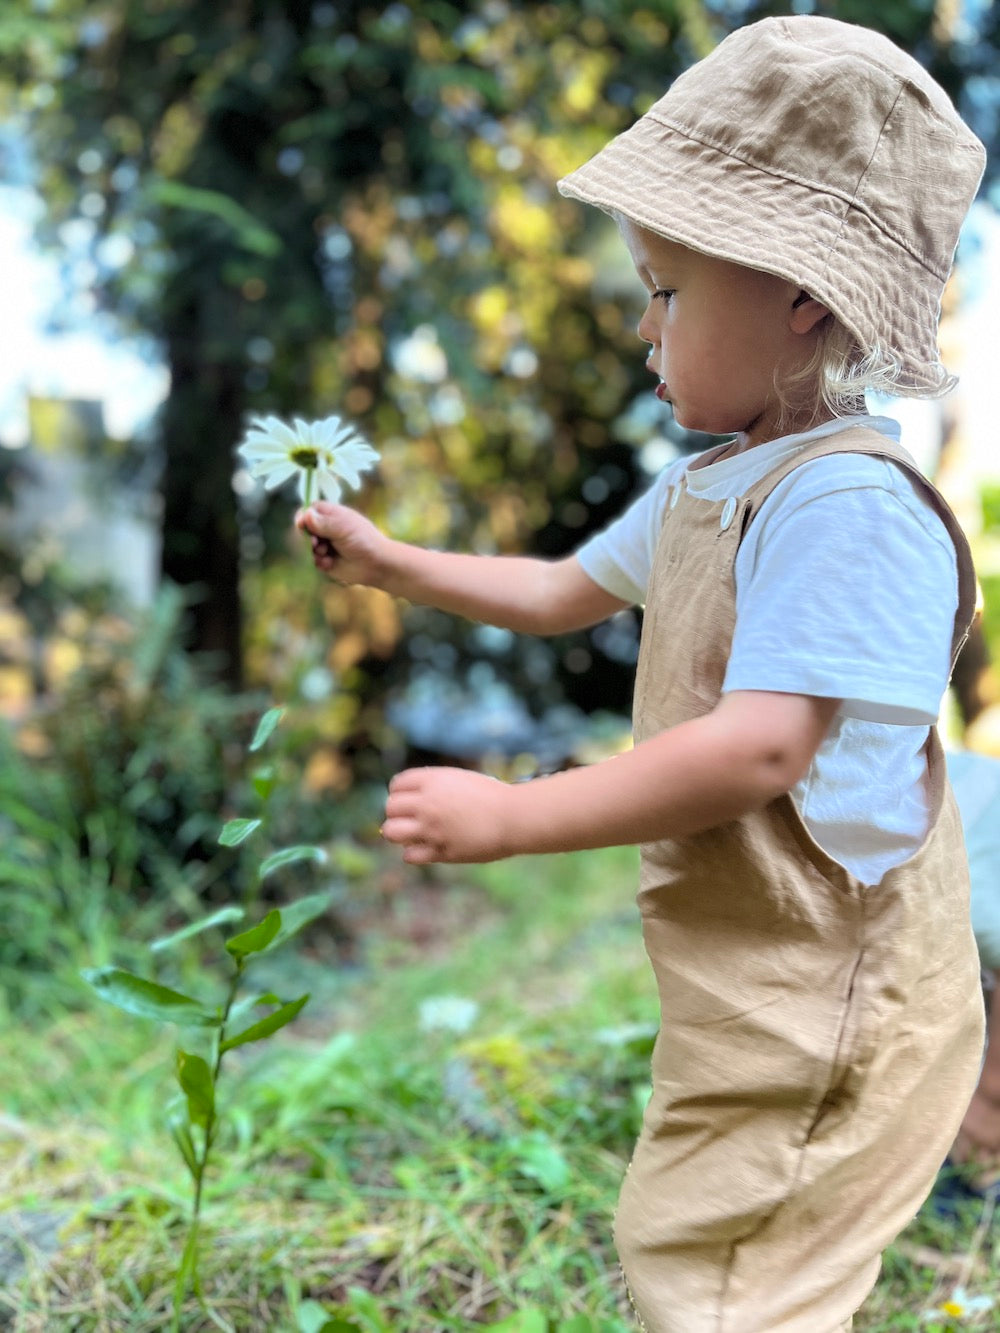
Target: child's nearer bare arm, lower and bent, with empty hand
749, 751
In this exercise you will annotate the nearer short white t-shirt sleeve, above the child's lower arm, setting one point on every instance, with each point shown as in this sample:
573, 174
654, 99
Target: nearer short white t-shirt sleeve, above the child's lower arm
847, 589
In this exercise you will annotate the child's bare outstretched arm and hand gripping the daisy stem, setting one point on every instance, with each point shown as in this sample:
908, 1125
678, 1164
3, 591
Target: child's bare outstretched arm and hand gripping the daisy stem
515, 593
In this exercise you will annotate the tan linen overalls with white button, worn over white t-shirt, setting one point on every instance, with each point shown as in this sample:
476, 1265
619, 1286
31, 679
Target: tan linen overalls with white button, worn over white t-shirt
821, 1039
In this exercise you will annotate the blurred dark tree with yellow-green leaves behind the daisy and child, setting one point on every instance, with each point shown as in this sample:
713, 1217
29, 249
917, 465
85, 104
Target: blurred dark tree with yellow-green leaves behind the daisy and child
351, 207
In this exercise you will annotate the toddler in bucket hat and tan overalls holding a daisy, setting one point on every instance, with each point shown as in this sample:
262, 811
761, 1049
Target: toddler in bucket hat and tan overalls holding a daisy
793, 207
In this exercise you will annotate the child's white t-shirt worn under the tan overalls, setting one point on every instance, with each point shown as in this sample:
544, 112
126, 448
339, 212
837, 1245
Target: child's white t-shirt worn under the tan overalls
846, 589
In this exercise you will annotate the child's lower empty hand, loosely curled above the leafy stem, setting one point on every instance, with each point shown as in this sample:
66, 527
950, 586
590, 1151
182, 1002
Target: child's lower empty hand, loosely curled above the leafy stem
449, 815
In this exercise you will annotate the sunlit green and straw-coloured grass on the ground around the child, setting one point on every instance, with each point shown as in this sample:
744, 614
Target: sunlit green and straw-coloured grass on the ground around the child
399, 1179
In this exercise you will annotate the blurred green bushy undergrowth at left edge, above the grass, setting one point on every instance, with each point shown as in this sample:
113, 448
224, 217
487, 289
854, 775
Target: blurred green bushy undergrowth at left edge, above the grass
103, 798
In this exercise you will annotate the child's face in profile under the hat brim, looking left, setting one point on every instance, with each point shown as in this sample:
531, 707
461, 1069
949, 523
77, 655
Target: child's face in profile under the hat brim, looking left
719, 335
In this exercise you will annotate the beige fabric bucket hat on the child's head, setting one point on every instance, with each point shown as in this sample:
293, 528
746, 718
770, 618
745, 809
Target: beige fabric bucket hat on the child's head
818, 151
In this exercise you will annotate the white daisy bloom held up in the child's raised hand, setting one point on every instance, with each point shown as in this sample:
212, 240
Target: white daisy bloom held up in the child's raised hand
319, 454
